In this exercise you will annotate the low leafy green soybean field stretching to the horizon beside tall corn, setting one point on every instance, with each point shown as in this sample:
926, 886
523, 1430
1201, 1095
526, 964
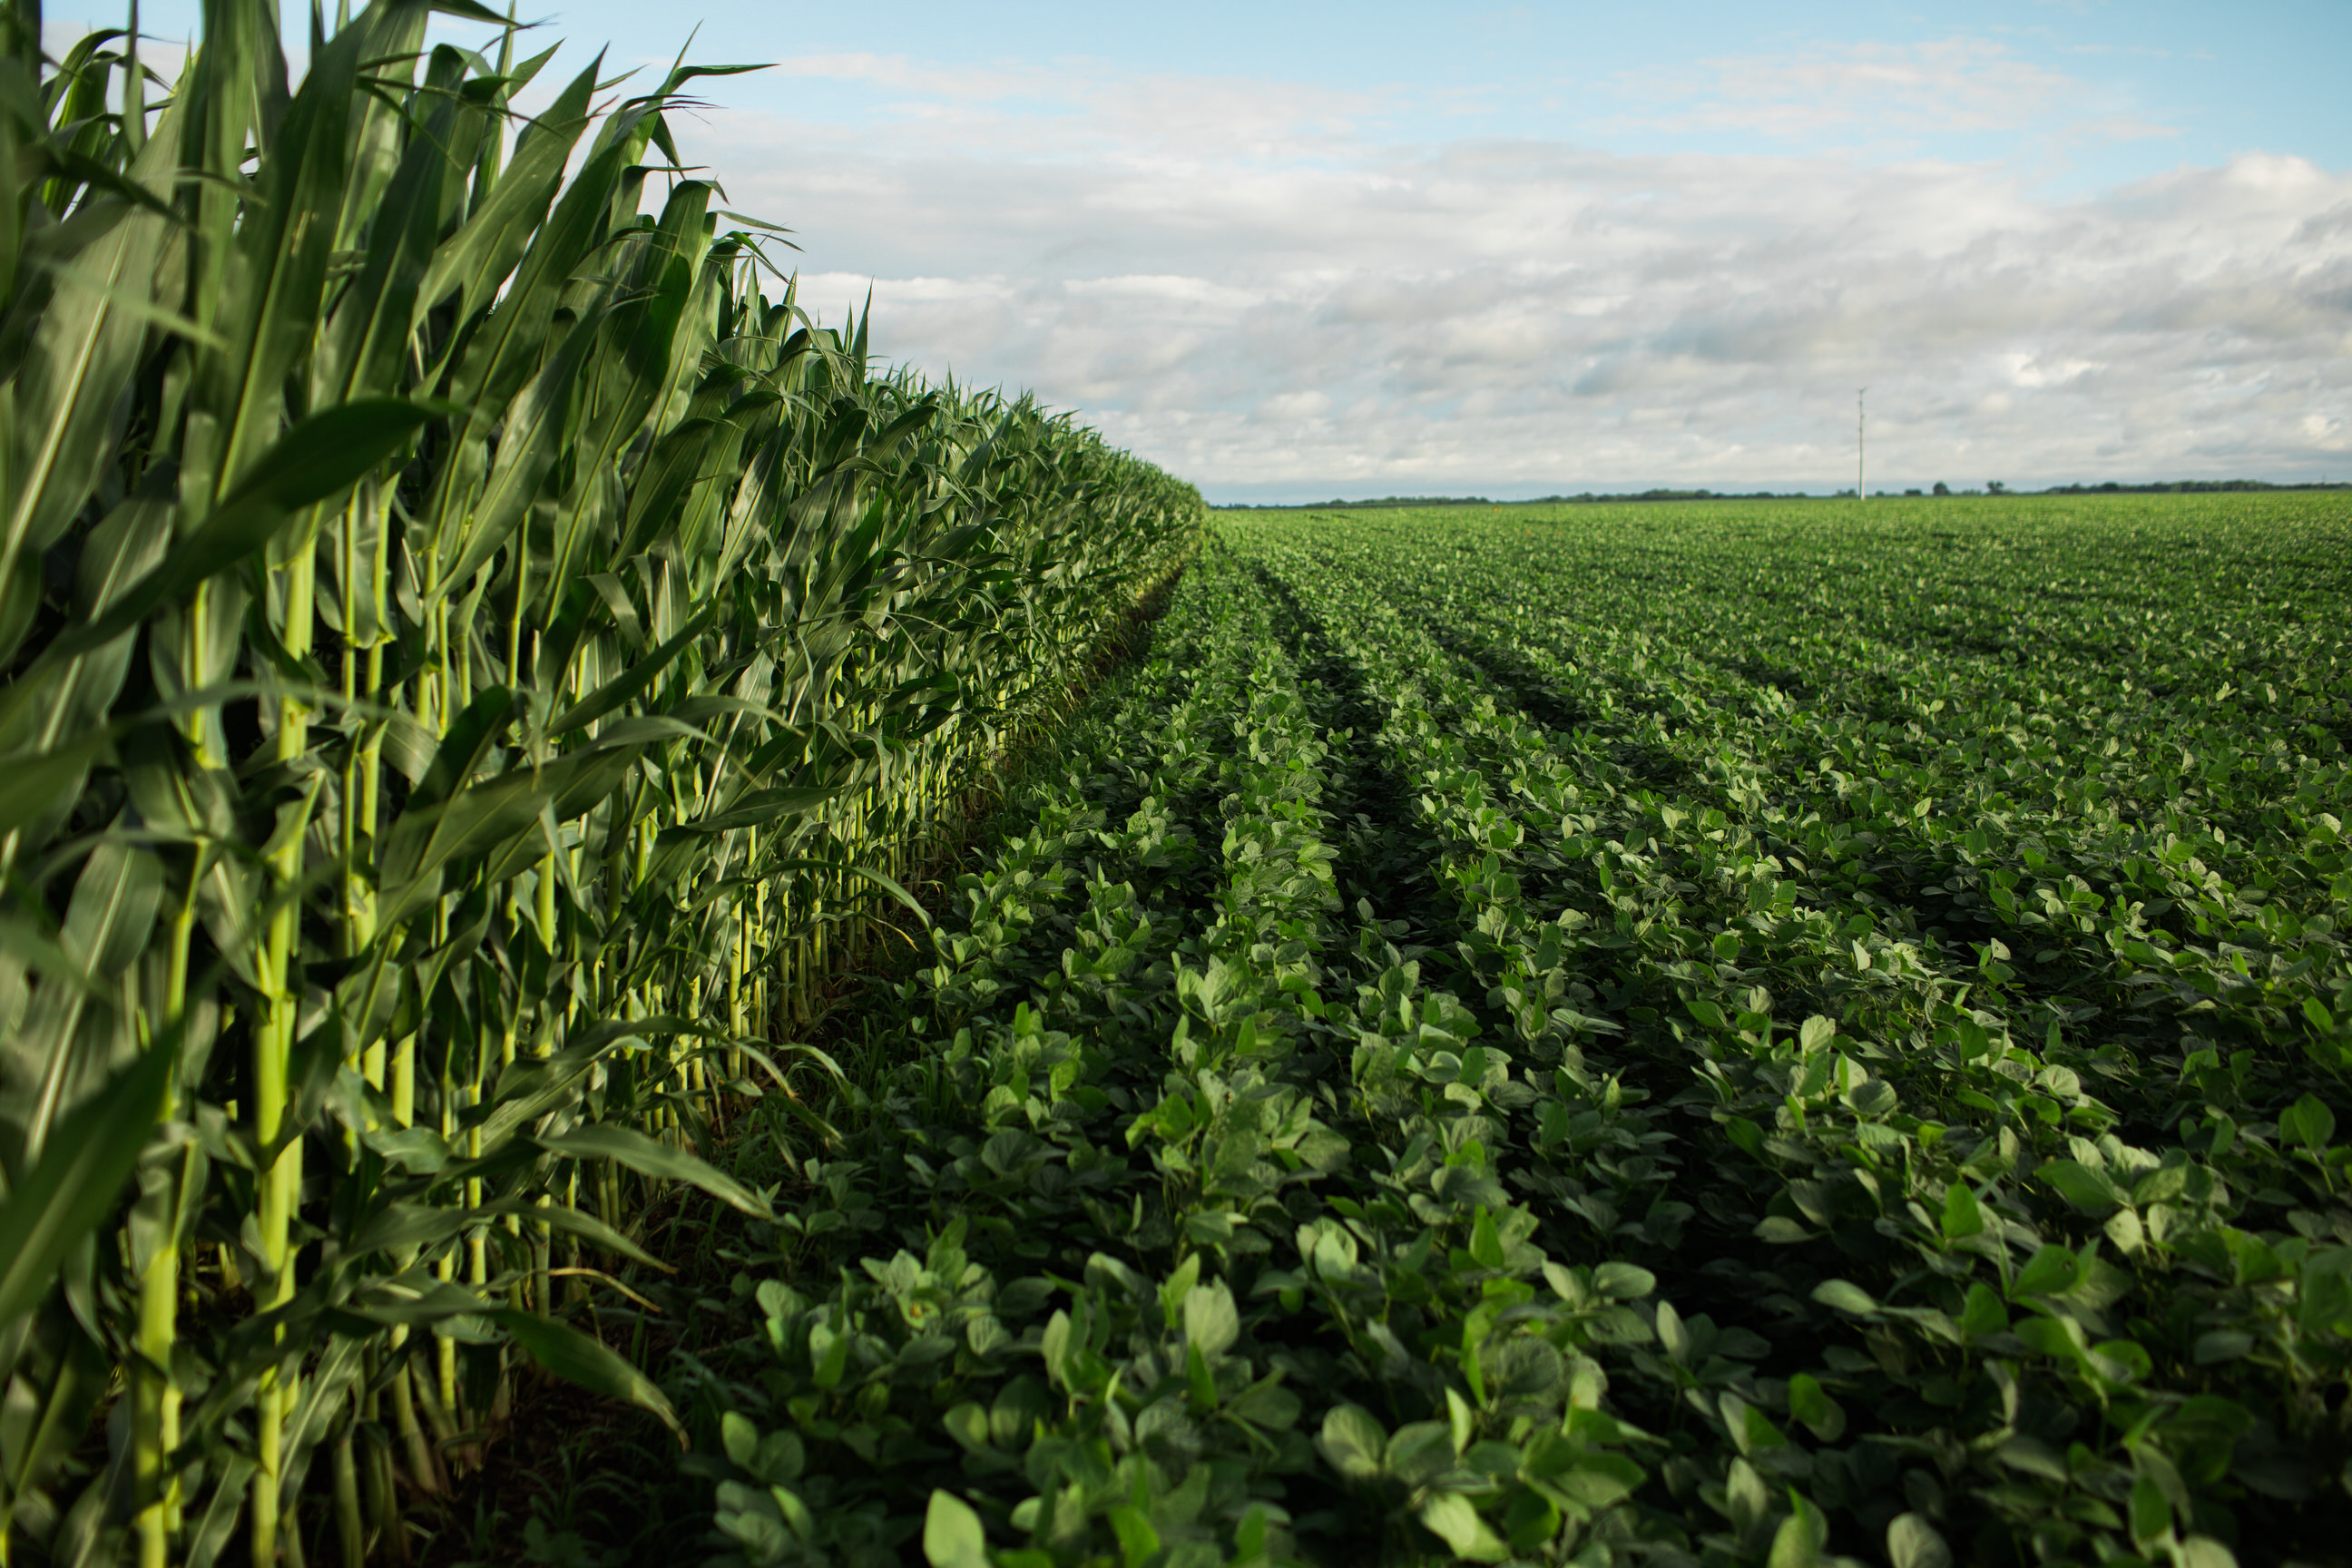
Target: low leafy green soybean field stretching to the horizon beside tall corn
1739, 1033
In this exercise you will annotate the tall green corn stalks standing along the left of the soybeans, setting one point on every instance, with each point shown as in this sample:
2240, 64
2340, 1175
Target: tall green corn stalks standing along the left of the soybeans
474, 664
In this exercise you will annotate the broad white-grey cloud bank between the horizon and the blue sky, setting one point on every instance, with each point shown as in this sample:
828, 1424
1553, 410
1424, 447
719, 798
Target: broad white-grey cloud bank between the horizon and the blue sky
1297, 307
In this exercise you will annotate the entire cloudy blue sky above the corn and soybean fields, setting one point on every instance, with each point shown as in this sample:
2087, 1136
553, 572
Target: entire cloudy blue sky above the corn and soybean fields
1358, 250
